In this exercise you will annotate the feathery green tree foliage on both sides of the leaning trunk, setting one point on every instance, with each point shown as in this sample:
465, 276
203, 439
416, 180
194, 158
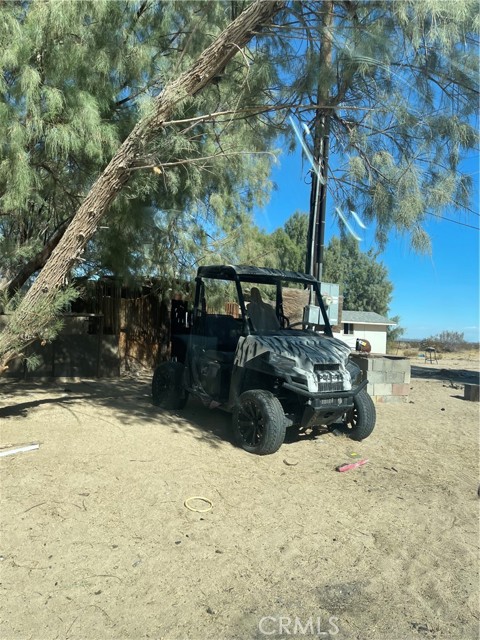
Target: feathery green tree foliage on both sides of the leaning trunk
76, 77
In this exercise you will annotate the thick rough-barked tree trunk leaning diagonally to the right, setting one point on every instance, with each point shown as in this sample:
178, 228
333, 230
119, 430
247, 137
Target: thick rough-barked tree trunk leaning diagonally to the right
26, 324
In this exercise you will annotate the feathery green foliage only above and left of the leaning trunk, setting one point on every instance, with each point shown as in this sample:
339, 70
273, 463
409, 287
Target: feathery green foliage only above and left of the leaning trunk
63, 69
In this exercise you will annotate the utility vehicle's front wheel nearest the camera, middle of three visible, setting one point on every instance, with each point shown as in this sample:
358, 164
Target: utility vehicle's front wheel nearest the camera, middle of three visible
259, 422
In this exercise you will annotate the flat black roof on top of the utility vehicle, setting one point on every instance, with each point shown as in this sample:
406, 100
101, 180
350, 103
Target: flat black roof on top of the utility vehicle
246, 273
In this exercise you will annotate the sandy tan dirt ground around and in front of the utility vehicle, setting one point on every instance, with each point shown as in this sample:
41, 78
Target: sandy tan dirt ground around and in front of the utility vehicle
96, 541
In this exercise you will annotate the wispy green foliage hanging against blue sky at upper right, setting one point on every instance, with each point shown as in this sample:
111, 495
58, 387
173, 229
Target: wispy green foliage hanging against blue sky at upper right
398, 84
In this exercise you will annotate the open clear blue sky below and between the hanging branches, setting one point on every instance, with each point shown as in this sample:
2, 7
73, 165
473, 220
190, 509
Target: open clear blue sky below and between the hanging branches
432, 293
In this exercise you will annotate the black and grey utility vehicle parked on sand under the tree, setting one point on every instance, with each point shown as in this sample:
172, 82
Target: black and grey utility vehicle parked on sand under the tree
252, 362
